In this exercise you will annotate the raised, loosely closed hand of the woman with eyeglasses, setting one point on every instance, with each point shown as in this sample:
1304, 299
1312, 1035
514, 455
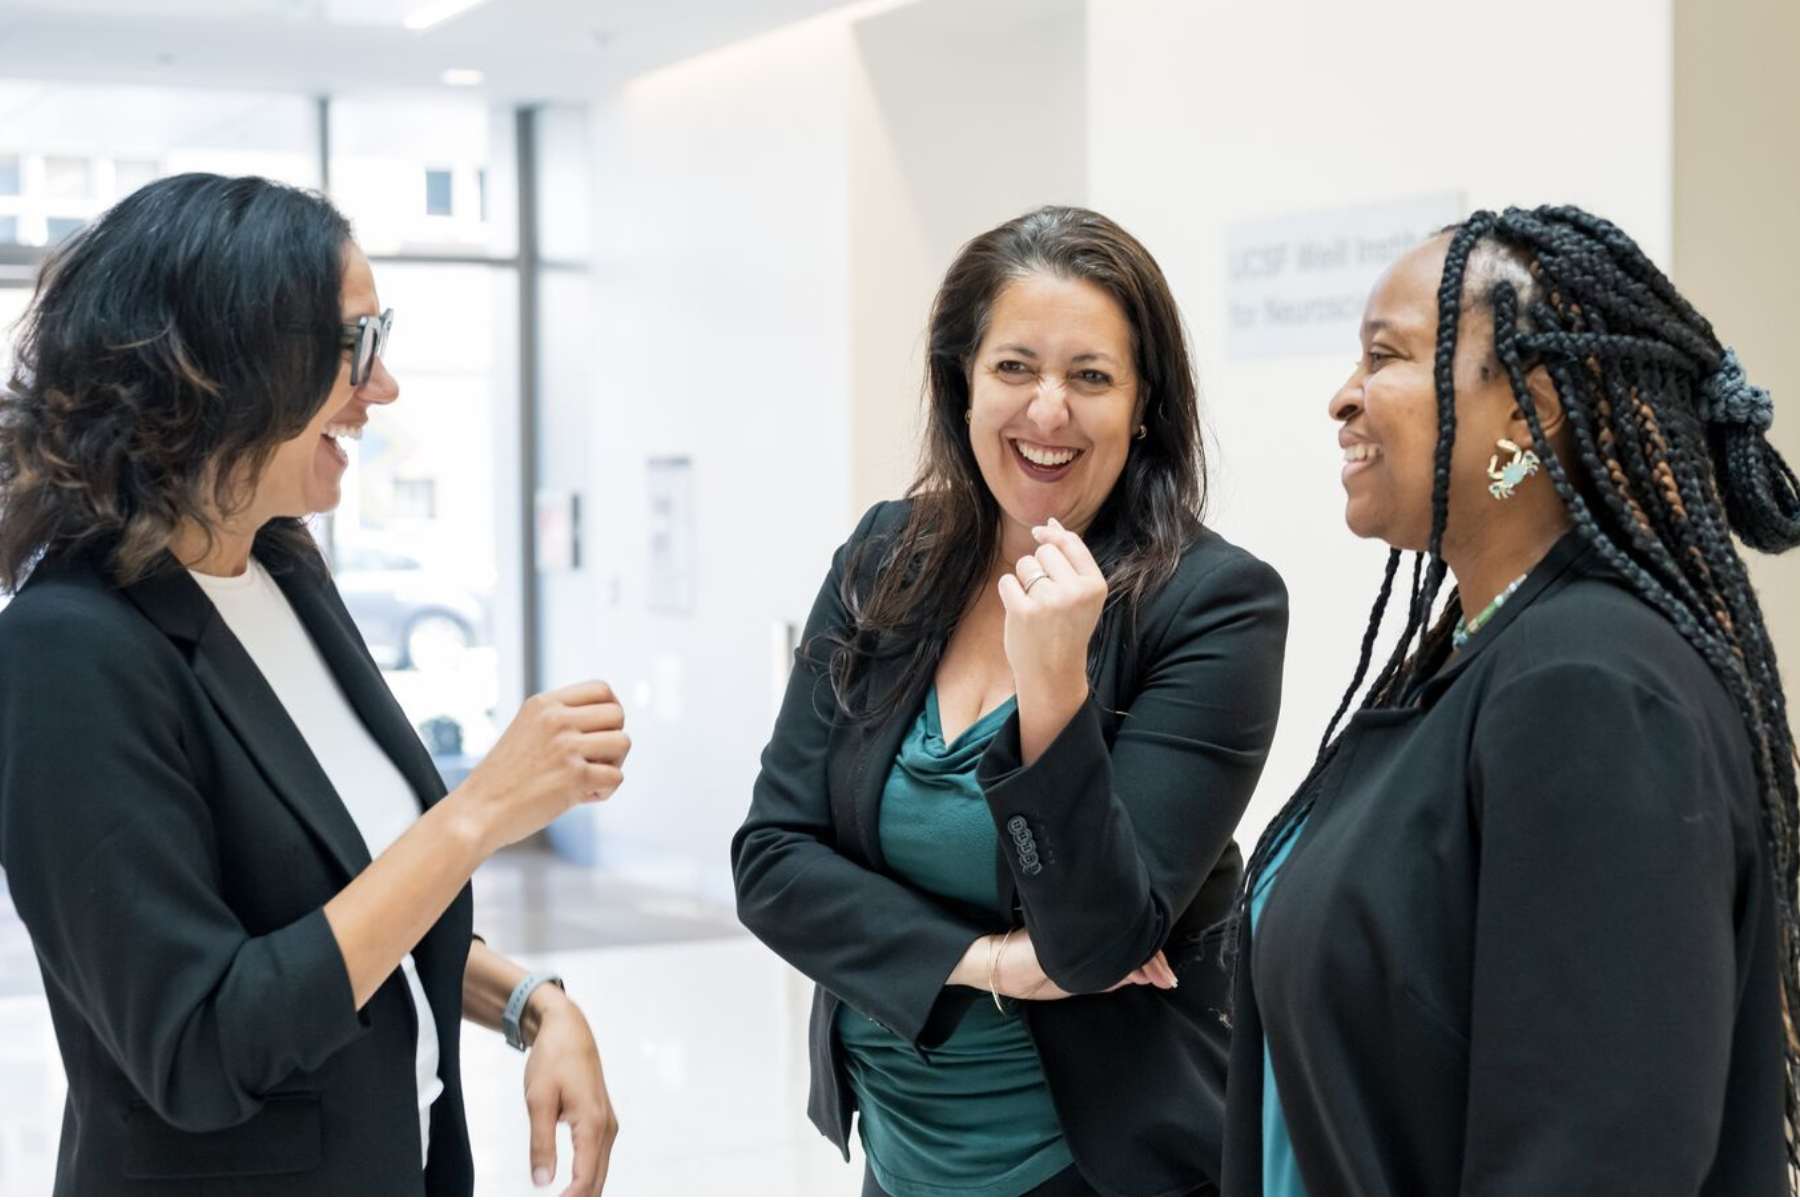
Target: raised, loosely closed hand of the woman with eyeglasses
566, 748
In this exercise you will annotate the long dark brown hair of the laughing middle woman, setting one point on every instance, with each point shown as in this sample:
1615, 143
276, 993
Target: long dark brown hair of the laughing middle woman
930, 573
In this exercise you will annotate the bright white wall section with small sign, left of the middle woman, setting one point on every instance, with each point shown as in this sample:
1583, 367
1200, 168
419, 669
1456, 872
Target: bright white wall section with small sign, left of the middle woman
721, 332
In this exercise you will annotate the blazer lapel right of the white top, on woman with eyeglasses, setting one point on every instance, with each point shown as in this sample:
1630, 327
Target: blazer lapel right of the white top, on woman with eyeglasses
348, 659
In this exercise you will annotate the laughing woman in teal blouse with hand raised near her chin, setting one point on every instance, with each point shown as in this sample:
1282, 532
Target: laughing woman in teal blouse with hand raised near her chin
1032, 703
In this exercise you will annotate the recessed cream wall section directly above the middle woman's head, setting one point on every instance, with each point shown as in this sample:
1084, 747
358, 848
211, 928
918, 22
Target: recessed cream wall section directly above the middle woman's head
962, 118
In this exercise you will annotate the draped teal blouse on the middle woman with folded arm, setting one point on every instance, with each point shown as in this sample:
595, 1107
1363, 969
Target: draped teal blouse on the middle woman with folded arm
975, 1118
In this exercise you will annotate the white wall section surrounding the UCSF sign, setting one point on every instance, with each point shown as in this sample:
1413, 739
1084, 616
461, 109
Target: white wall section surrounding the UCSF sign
1205, 112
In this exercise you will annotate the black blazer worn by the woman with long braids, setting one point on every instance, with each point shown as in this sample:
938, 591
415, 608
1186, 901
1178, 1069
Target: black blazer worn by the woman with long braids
1527, 940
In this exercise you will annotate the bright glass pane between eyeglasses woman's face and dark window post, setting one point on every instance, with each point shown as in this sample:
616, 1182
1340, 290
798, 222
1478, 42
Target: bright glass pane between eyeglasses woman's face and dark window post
415, 541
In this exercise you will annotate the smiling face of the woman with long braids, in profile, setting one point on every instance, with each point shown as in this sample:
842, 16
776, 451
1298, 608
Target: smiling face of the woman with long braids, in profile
1389, 411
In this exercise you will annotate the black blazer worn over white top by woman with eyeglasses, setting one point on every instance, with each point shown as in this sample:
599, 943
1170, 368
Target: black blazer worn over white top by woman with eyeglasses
170, 843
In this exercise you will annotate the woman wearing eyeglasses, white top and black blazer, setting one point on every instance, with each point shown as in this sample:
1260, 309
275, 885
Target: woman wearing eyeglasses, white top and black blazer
244, 881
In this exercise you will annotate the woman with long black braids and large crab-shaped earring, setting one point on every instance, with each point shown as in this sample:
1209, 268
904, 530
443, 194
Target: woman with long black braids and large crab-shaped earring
1529, 922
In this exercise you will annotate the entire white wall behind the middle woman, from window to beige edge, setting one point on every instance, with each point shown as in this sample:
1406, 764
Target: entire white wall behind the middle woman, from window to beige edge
773, 219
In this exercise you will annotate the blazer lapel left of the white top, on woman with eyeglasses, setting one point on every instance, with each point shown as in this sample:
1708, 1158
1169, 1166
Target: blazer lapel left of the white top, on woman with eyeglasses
177, 605
